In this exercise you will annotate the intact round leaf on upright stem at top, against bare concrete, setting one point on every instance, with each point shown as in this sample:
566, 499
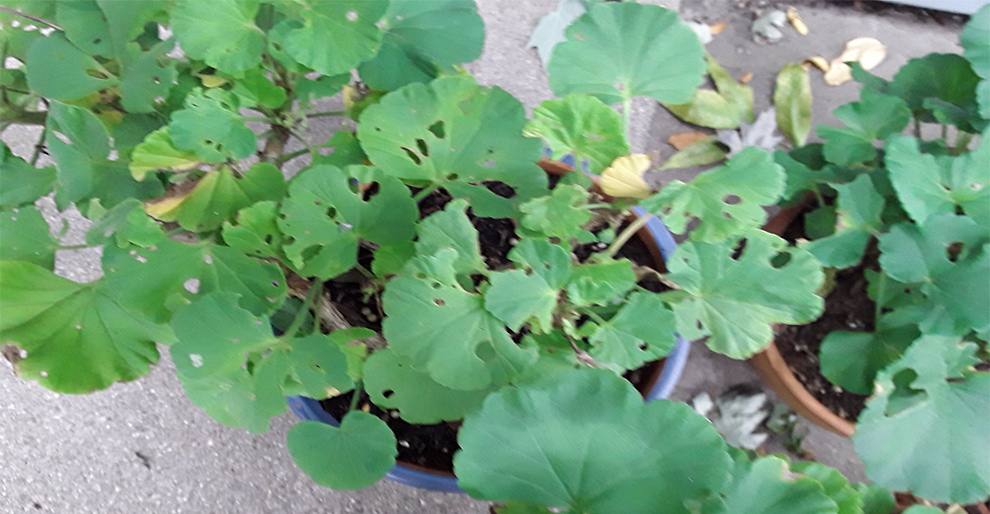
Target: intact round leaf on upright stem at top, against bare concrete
618, 51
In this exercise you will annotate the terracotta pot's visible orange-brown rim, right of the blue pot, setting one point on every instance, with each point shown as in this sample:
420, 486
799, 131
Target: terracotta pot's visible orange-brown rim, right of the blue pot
770, 365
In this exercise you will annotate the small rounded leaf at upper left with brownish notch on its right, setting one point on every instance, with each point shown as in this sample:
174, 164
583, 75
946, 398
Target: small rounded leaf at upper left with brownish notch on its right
58, 70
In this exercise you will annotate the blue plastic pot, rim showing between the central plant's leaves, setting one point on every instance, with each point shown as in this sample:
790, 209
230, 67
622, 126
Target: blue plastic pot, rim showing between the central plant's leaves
308, 409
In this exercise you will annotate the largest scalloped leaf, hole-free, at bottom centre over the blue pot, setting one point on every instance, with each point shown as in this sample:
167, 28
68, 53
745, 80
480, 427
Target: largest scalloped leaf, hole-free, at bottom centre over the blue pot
589, 443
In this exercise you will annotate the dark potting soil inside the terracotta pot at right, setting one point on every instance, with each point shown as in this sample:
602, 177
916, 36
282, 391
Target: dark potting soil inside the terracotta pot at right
848, 308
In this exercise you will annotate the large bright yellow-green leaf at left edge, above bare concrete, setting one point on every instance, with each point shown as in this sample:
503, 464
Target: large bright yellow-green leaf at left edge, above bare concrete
78, 337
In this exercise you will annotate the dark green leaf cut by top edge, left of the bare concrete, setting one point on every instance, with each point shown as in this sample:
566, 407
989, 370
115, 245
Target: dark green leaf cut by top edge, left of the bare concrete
422, 37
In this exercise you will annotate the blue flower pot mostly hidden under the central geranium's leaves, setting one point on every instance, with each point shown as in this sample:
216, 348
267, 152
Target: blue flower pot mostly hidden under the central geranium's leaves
659, 385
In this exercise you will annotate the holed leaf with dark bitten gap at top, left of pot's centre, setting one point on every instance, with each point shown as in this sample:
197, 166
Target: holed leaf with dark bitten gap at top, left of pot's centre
326, 219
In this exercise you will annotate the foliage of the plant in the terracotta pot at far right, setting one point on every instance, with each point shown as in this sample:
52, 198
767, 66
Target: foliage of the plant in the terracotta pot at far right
921, 207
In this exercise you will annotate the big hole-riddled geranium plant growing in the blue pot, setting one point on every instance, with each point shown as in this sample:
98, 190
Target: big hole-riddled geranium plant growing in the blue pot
207, 246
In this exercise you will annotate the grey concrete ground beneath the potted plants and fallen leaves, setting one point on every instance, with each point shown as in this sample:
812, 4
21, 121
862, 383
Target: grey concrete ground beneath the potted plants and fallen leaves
143, 448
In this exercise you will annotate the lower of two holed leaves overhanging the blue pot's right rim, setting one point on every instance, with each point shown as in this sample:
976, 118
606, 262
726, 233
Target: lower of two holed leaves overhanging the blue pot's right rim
736, 300
